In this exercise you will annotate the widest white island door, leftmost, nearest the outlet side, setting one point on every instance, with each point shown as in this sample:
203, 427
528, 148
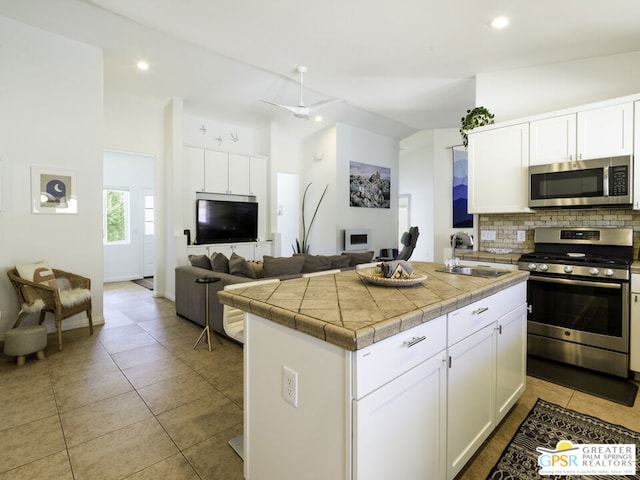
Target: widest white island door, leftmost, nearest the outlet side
399, 429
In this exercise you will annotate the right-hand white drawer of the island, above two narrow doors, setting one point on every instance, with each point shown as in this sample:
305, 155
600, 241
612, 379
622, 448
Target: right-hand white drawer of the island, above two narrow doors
467, 320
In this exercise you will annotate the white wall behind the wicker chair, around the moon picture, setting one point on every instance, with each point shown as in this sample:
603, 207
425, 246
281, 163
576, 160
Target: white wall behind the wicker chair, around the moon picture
51, 116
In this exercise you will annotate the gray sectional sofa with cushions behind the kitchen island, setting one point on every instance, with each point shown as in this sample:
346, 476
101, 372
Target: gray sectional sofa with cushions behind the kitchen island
190, 296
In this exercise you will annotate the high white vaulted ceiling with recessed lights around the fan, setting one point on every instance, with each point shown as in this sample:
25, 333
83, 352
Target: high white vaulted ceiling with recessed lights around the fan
398, 66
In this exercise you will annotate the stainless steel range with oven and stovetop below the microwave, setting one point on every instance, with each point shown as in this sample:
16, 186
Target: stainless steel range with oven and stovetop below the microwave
578, 295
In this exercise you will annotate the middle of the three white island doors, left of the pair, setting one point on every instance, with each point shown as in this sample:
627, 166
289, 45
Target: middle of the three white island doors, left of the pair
471, 396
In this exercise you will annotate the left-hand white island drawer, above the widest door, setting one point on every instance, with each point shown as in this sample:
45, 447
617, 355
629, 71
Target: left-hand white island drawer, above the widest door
383, 361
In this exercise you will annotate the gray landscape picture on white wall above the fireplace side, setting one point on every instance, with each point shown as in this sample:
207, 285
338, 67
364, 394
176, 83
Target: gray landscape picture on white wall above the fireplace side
369, 185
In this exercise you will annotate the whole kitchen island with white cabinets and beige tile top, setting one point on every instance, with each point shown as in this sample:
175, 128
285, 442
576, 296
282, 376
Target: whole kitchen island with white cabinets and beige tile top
349, 380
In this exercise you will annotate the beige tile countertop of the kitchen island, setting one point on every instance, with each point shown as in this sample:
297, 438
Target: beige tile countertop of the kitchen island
345, 311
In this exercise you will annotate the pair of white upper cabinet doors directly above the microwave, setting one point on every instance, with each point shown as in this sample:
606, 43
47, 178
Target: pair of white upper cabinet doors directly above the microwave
593, 133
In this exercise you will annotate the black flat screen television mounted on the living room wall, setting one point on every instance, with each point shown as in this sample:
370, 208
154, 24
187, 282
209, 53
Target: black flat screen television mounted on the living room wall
222, 221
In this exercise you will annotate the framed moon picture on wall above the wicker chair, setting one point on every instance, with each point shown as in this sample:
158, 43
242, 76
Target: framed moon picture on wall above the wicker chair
53, 191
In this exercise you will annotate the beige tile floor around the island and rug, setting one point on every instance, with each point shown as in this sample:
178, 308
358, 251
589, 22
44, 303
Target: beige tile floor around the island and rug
136, 401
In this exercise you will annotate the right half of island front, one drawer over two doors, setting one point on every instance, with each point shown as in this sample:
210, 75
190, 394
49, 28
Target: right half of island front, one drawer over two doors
481, 389
